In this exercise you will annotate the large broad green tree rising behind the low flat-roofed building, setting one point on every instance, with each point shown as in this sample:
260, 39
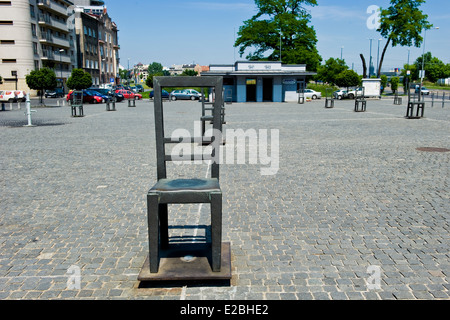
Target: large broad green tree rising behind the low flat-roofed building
284, 21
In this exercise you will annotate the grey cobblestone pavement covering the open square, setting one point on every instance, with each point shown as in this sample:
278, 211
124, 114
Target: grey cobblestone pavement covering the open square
355, 211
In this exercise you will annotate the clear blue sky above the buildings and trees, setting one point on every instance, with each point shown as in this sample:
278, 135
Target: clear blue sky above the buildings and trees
203, 32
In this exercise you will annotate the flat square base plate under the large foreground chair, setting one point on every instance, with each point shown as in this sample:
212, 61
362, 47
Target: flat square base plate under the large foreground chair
188, 262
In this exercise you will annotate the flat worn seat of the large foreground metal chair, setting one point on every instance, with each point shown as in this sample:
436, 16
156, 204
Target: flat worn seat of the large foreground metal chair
186, 185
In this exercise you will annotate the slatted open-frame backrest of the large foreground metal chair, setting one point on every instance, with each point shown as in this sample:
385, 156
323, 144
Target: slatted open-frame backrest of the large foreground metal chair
162, 140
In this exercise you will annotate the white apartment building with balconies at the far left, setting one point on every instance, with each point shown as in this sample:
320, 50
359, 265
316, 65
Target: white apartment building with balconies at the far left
35, 34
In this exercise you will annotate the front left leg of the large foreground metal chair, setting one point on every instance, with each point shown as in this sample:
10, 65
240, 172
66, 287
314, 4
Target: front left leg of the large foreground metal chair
153, 231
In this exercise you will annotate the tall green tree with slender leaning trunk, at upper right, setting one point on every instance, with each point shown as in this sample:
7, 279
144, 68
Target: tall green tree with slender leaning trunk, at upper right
402, 24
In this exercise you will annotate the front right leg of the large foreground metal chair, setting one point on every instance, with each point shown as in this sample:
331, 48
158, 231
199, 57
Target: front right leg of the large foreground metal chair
216, 230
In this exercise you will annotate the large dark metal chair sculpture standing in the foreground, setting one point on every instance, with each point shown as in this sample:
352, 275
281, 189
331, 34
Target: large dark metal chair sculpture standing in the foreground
176, 191
